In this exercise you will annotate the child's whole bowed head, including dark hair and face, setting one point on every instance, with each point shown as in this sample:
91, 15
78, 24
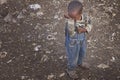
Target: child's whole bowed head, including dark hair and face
75, 9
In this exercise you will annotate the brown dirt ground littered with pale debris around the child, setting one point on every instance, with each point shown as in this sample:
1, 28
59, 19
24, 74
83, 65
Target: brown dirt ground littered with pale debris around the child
32, 40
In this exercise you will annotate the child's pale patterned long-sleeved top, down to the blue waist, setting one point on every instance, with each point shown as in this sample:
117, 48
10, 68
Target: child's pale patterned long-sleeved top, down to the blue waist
71, 26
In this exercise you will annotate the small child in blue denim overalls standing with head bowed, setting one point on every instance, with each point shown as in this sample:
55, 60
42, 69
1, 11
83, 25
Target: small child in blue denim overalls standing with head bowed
77, 25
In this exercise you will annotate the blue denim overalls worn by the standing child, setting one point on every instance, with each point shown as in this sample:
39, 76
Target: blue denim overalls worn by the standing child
75, 46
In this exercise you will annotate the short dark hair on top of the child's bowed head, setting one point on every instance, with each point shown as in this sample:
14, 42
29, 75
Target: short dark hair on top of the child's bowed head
75, 5
